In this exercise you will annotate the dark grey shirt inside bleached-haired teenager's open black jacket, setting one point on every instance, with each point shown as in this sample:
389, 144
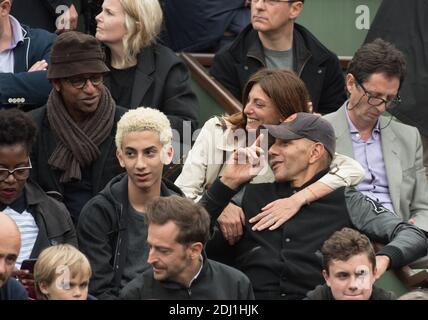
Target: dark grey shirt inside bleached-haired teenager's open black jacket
138, 250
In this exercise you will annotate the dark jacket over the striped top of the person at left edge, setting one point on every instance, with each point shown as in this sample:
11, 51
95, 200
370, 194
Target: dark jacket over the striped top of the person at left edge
52, 219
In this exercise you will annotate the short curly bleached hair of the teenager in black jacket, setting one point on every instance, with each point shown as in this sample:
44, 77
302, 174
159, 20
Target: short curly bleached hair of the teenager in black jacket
144, 119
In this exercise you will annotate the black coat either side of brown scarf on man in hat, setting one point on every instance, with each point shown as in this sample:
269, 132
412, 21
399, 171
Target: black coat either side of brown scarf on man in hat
103, 169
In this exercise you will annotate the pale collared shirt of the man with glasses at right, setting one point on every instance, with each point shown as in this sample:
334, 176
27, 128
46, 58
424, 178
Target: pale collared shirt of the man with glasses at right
369, 154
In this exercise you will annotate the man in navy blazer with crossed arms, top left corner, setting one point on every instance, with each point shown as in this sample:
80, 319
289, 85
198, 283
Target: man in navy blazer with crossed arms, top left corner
24, 57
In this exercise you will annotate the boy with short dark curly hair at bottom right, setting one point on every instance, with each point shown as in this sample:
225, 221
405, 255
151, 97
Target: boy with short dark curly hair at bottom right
349, 269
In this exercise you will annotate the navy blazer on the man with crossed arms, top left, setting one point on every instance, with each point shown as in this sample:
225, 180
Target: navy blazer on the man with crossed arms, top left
29, 88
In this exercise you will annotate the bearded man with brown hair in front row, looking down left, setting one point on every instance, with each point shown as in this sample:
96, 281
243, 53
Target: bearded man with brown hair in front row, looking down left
178, 230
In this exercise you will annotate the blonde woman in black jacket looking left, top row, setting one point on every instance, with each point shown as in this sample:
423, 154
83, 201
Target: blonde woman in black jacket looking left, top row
144, 73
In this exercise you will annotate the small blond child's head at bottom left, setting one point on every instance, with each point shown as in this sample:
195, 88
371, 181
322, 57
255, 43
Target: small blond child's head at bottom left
62, 272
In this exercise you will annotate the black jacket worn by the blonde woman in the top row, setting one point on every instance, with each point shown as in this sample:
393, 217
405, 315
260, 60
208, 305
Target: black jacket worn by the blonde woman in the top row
162, 81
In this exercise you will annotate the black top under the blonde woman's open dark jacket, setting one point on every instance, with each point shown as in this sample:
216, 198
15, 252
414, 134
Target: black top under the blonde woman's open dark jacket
121, 85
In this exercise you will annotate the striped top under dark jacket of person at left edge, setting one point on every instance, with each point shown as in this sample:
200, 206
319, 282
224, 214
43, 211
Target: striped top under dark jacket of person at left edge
29, 231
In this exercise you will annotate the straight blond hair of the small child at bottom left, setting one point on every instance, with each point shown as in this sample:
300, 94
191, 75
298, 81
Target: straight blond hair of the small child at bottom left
53, 259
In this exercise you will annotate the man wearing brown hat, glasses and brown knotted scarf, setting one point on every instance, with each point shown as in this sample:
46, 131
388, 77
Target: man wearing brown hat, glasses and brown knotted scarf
75, 153
